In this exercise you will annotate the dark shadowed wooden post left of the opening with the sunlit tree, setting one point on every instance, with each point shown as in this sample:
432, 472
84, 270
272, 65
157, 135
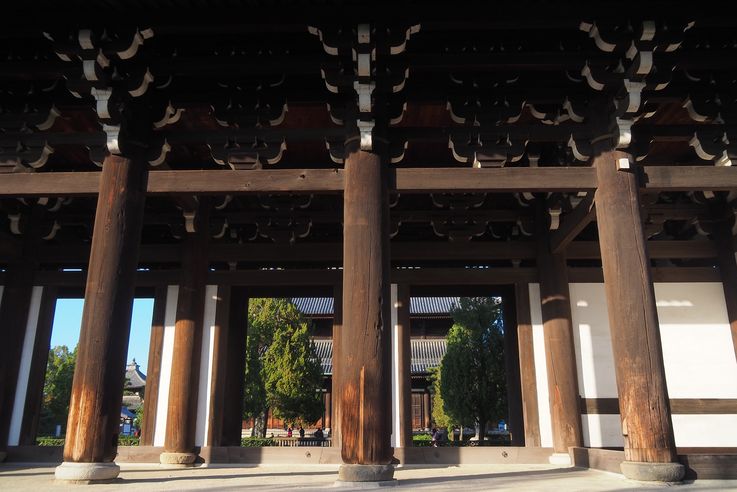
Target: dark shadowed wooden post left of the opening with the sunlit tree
235, 365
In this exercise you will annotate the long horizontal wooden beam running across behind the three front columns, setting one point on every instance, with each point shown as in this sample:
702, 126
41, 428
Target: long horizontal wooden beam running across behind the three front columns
404, 180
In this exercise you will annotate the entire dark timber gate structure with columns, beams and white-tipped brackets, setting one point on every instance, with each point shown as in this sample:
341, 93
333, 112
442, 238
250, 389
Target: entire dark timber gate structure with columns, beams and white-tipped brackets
365, 150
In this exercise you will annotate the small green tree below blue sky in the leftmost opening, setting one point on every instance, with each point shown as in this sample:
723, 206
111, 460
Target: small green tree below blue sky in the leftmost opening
57, 389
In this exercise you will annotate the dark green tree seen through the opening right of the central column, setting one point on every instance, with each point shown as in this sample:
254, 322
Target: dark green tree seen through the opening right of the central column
472, 381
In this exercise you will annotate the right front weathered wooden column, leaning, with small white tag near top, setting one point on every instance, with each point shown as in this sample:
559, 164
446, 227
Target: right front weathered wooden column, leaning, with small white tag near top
649, 445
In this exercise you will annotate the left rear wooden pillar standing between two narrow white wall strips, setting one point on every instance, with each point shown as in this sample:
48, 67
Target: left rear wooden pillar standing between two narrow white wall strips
181, 420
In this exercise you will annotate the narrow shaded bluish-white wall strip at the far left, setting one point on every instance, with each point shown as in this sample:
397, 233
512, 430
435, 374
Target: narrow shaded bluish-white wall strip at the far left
16, 419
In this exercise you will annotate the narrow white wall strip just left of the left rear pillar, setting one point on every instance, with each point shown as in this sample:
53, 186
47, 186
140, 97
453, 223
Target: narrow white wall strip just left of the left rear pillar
167, 355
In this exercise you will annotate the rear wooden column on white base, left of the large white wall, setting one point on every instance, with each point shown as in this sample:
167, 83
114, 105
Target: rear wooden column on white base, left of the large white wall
559, 349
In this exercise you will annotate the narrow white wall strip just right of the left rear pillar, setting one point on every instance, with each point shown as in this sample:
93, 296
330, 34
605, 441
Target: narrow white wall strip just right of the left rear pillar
206, 365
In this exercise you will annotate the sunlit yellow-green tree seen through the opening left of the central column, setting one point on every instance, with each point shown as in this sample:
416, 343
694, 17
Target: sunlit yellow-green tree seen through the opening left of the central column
282, 369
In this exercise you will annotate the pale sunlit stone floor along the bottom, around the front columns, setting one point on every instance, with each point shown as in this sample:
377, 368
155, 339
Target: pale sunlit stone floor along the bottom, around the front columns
319, 477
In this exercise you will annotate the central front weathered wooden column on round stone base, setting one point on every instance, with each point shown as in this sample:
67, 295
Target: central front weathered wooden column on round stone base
365, 341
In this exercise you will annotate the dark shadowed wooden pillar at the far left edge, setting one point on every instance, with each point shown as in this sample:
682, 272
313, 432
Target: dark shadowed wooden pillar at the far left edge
14, 309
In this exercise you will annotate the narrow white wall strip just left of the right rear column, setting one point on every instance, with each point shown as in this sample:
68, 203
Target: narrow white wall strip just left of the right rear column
541, 372
